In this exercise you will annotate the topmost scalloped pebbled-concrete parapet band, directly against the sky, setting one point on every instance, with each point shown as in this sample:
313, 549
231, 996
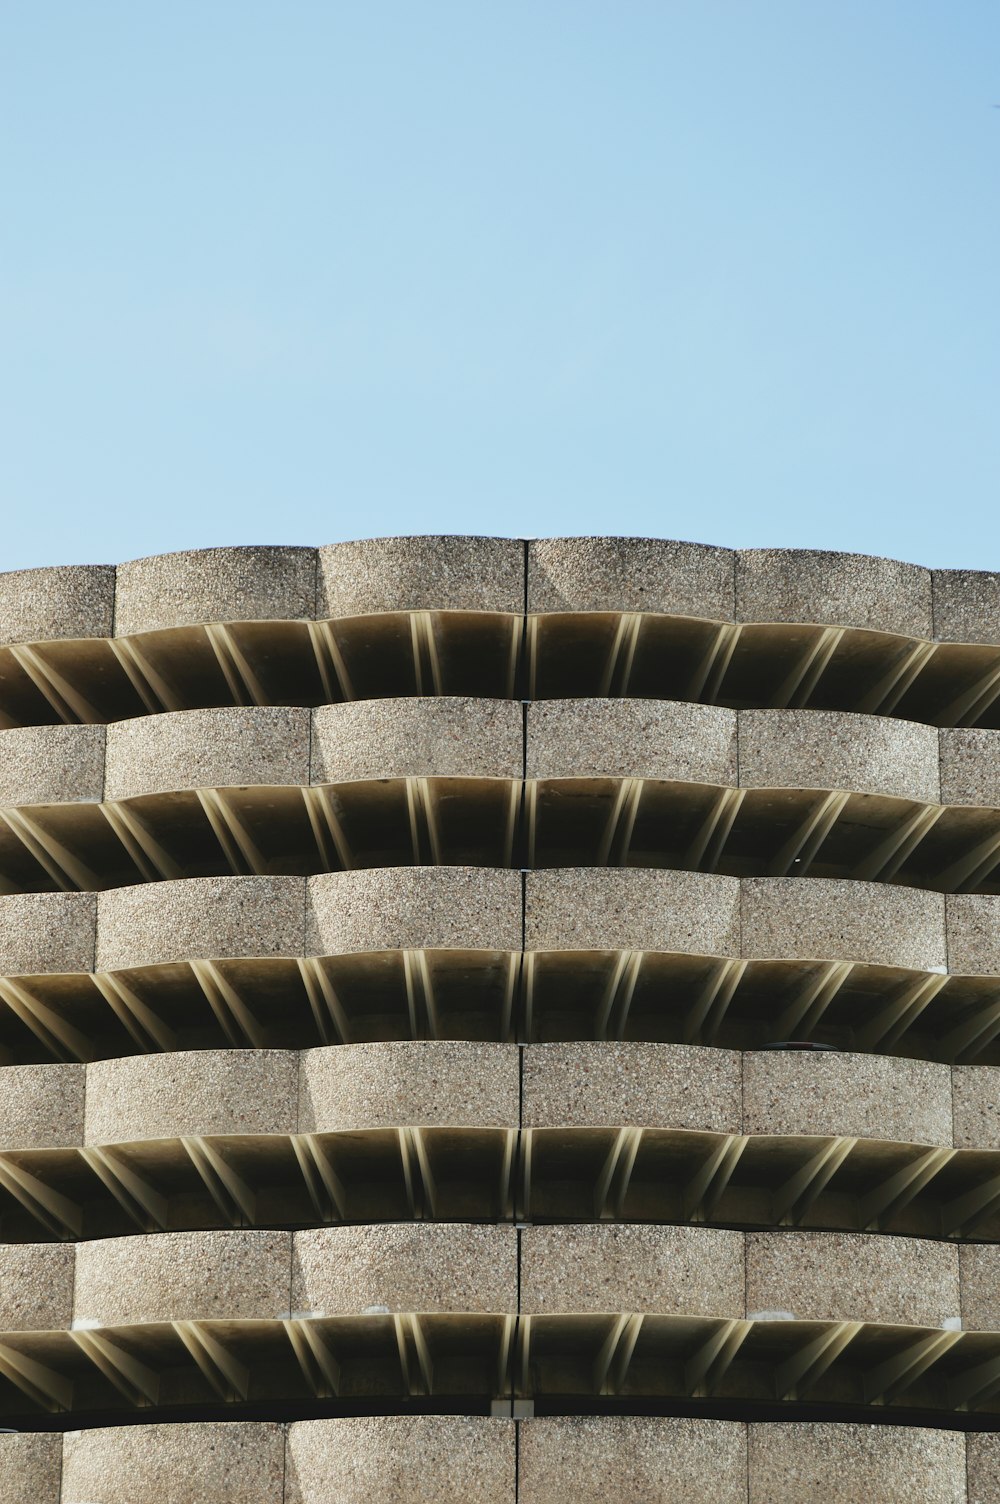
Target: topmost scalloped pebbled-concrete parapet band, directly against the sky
488, 575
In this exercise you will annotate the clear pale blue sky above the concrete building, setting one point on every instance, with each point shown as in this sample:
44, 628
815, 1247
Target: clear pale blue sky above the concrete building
302, 271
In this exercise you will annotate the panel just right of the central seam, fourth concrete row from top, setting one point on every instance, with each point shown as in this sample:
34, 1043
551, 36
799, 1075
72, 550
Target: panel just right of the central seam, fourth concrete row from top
632, 1085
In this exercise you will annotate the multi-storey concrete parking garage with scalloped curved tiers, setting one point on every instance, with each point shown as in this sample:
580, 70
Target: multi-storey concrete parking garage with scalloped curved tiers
401, 951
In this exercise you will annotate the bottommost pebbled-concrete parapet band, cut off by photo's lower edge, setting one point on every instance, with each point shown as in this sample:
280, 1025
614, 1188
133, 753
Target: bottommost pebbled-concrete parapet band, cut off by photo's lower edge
452, 1460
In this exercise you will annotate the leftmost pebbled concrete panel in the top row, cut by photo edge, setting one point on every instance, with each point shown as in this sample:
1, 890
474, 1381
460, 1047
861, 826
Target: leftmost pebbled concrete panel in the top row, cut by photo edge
68, 601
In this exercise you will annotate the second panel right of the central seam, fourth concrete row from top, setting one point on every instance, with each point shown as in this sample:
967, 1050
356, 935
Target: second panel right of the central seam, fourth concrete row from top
856, 1096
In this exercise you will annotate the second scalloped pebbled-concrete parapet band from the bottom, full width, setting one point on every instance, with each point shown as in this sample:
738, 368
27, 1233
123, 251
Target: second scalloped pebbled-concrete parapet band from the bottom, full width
468, 1270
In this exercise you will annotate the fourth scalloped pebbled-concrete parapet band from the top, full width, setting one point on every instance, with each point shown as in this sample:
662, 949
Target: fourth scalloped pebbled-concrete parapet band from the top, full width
470, 1085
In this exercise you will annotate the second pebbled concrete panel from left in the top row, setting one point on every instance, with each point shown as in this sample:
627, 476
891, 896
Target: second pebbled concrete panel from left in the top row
205, 586
